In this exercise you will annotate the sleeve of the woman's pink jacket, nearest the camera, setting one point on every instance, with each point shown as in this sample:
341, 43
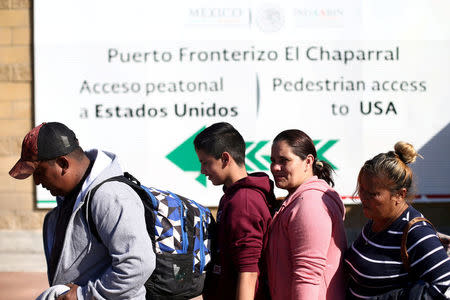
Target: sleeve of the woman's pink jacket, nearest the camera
309, 229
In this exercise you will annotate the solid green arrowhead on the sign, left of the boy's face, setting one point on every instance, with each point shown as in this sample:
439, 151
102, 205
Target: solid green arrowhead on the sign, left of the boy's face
186, 159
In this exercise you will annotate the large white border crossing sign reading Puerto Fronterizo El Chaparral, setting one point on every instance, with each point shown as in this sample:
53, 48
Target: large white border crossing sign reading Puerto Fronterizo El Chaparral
141, 78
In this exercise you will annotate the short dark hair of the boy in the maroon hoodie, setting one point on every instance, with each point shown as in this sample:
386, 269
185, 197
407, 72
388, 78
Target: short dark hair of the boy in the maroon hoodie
219, 138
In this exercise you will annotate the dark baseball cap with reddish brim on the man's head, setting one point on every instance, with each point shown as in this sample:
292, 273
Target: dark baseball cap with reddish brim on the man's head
44, 142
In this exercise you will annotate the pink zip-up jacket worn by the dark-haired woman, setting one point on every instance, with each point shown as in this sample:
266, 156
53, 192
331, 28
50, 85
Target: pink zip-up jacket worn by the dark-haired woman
306, 245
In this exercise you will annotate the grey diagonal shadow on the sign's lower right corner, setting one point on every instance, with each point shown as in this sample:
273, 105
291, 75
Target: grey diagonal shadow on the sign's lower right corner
433, 172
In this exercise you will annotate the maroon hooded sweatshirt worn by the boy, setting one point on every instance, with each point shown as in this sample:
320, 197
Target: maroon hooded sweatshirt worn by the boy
243, 219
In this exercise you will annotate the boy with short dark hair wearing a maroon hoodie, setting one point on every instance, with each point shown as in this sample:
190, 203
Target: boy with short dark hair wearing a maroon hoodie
243, 216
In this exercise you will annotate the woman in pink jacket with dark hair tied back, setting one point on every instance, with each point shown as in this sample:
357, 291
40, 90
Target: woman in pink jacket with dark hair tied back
306, 240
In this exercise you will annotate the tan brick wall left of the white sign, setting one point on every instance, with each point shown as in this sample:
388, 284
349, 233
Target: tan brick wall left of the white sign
16, 113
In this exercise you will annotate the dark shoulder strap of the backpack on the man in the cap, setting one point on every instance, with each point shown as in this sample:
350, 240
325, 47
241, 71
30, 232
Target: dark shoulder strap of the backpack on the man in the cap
131, 181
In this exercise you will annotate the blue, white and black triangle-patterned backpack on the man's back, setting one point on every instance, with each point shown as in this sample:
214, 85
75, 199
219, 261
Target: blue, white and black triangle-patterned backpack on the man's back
181, 231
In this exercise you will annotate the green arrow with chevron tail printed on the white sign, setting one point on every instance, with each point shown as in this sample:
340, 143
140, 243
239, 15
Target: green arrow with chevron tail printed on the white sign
257, 155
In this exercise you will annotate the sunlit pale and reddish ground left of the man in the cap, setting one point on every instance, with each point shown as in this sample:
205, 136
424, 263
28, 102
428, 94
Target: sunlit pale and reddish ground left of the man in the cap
22, 265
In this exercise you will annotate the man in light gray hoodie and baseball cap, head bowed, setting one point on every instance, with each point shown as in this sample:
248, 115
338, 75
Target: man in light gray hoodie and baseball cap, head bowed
80, 266
